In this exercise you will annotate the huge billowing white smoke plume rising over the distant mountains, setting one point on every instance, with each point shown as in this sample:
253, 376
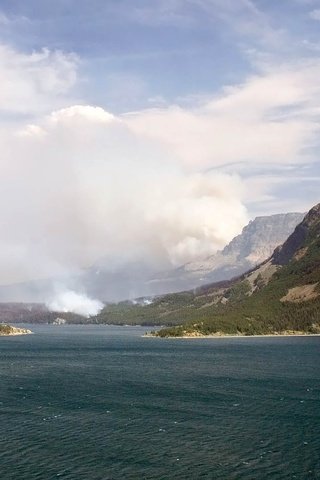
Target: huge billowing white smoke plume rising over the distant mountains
81, 185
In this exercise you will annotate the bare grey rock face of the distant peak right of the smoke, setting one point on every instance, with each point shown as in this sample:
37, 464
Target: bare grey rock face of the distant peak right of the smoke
255, 244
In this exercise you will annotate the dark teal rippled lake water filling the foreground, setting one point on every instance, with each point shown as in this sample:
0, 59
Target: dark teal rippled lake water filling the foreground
99, 403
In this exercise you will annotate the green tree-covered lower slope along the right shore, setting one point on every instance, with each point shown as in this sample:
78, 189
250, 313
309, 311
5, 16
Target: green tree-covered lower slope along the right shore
264, 312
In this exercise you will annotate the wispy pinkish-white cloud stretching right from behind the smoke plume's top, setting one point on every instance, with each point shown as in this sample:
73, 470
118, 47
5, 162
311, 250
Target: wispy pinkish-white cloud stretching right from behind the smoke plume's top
273, 116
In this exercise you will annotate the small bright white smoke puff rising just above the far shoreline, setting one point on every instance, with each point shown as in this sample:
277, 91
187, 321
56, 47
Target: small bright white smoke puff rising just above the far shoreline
73, 302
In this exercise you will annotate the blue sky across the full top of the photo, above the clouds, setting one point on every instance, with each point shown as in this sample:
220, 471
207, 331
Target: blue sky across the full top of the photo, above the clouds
166, 49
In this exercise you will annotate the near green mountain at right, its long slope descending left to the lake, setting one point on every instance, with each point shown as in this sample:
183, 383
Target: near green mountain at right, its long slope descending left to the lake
281, 295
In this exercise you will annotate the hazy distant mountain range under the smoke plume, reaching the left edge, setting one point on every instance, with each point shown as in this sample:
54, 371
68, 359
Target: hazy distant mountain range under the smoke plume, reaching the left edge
137, 279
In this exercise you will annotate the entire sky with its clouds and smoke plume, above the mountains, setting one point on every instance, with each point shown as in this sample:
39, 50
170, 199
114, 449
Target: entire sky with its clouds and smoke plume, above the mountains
135, 130
